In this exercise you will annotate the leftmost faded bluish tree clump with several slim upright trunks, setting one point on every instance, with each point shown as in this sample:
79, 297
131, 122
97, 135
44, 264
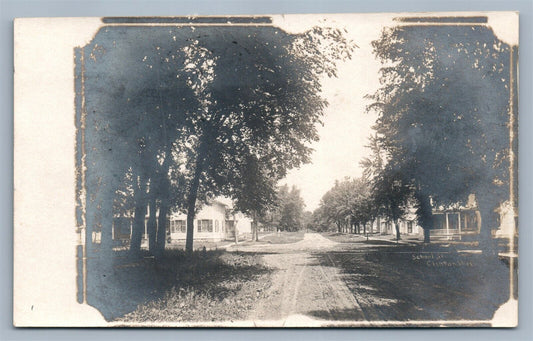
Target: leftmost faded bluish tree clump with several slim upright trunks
135, 106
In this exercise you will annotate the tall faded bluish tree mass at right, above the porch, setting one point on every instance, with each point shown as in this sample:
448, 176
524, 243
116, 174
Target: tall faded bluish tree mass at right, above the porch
443, 115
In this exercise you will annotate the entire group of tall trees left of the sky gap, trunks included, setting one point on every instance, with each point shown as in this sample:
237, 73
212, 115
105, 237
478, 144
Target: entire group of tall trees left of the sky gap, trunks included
175, 116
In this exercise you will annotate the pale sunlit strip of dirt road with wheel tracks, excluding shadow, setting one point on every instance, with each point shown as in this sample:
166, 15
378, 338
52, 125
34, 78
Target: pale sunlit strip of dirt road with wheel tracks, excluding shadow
302, 287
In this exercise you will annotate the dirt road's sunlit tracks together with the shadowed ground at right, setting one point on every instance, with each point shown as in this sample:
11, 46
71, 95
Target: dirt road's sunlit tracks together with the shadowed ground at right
321, 282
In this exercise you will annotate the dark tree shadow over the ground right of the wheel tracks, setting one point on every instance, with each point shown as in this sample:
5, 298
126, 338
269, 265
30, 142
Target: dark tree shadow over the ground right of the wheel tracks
403, 284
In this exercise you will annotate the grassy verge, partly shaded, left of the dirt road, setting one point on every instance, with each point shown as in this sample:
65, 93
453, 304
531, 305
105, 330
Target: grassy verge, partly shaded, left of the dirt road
206, 286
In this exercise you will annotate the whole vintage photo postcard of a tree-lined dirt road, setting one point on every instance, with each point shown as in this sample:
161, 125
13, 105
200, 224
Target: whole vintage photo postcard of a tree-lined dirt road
336, 170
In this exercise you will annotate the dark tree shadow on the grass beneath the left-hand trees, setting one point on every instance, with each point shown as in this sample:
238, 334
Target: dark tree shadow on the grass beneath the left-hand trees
117, 285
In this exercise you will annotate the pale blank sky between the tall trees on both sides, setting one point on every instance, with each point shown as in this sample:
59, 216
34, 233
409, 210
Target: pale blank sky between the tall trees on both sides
347, 124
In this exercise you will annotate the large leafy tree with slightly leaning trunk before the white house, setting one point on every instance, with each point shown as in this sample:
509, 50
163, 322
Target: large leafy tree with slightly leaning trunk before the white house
261, 99
